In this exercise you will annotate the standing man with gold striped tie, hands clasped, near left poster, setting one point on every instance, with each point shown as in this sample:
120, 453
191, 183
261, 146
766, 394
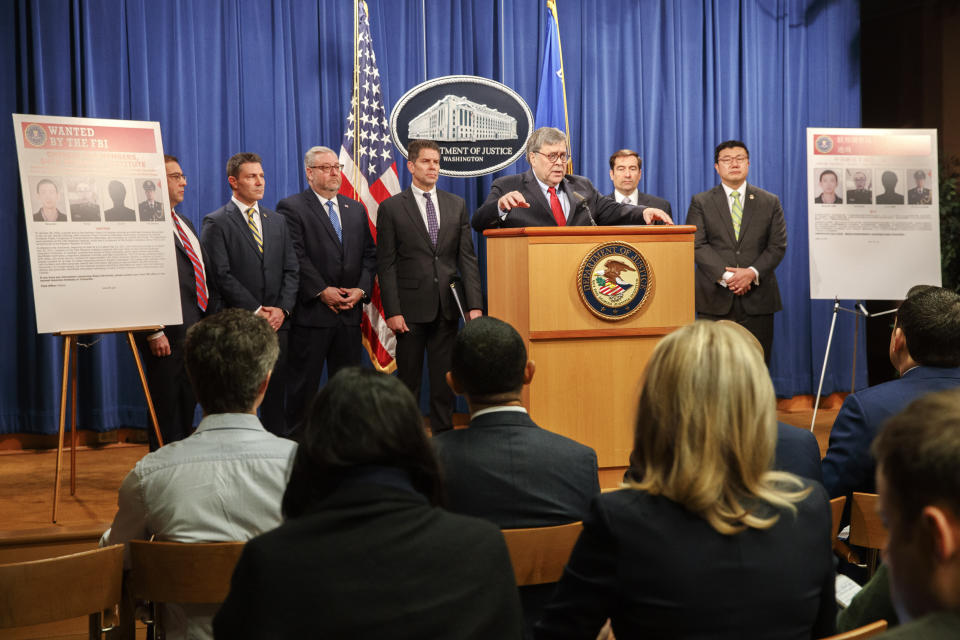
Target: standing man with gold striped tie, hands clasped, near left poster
254, 266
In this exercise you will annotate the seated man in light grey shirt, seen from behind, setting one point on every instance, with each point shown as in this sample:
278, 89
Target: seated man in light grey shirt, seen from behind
225, 482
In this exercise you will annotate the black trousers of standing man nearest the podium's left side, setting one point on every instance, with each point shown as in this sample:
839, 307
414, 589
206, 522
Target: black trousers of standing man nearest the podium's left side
436, 338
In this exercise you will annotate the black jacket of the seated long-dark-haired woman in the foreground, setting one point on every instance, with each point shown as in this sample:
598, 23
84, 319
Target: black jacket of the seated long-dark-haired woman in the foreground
373, 562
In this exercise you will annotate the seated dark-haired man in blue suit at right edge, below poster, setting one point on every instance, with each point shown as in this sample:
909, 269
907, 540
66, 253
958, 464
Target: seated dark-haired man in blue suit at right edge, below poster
925, 350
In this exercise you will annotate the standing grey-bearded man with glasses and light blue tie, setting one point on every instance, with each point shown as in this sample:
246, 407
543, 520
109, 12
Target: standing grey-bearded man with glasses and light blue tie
338, 260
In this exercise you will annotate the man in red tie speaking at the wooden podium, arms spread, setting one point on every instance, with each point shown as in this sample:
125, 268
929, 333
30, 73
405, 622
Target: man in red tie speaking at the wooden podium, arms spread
546, 197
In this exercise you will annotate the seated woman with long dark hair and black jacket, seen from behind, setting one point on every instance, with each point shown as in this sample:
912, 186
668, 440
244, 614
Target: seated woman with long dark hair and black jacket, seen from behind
365, 551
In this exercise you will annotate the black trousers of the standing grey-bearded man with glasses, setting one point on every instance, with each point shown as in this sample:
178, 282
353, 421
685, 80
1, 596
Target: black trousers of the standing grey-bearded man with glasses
310, 348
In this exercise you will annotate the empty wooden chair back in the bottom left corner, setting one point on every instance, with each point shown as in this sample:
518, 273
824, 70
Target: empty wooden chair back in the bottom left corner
53, 589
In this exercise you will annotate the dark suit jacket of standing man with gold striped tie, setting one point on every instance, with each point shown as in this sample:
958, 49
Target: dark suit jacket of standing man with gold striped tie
243, 276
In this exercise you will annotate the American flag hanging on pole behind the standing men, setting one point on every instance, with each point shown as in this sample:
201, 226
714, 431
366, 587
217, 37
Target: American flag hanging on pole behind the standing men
370, 175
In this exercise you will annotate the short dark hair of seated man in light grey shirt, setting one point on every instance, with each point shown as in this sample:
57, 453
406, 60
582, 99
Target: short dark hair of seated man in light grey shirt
228, 356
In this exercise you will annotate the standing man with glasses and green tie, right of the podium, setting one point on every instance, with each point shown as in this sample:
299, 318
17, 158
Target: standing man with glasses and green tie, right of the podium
741, 238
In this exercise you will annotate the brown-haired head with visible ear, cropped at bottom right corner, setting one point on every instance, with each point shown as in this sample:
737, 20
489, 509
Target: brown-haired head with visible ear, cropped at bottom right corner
918, 455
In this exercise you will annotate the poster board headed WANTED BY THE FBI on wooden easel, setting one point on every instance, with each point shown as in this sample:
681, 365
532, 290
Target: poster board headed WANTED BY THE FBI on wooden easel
98, 223
